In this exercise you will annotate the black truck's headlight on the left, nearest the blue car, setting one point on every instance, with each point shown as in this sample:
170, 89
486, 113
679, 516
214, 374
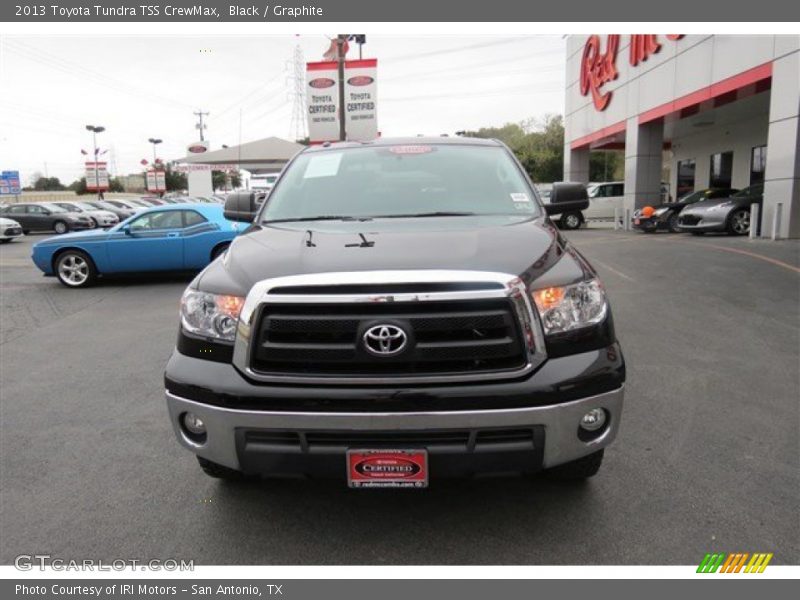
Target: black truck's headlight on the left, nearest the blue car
210, 315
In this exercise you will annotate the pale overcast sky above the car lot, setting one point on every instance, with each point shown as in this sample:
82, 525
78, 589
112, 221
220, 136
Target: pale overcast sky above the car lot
139, 87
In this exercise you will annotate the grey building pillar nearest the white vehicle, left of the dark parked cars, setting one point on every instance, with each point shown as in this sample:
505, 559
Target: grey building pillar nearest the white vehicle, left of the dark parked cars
643, 147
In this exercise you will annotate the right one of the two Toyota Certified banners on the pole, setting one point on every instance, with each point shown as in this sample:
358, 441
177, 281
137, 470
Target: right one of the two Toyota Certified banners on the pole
361, 99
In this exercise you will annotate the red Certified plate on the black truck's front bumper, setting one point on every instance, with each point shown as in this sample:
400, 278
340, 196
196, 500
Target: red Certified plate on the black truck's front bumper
387, 468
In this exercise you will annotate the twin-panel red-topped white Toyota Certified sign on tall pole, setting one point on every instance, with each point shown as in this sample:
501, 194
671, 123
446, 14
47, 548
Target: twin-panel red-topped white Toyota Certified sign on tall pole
360, 100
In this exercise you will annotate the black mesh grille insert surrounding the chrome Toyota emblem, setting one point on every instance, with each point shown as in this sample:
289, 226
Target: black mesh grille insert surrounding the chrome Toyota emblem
443, 337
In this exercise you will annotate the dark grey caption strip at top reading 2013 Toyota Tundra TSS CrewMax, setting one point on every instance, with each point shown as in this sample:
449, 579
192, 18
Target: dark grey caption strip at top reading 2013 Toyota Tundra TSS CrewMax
355, 11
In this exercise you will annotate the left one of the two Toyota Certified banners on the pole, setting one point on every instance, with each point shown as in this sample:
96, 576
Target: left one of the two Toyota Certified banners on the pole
322, 101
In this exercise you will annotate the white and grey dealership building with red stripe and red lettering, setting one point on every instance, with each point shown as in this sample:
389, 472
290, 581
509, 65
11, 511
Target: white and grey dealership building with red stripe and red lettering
701, 110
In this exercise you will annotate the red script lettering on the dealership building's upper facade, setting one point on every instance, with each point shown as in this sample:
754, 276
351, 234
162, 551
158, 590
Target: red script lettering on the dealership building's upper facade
599, 66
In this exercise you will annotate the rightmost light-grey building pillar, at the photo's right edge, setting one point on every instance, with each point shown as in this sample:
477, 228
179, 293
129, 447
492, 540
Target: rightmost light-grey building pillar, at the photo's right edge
782, 175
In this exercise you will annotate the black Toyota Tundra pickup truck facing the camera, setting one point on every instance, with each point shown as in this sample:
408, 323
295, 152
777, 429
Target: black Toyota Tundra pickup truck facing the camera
398, 311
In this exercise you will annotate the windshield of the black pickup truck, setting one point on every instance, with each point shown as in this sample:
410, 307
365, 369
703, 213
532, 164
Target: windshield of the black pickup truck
398, 181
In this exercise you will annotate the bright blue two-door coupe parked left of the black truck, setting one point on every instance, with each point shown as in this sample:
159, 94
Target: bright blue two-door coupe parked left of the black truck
175, 237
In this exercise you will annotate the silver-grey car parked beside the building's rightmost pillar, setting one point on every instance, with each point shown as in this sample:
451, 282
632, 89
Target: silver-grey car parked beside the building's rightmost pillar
731, 214
